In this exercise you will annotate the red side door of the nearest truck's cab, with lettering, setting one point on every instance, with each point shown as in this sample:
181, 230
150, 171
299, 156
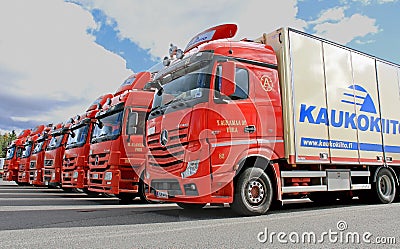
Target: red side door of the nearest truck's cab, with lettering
231, 121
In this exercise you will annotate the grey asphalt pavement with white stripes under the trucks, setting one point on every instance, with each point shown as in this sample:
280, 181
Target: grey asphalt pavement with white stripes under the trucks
32, 217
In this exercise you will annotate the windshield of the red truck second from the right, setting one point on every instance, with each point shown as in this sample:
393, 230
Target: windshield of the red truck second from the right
110, 127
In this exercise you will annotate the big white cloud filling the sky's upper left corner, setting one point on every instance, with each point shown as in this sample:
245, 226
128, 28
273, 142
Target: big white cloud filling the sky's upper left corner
47, 53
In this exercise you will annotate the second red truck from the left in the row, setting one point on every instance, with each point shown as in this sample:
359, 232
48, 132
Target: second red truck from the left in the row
24, 170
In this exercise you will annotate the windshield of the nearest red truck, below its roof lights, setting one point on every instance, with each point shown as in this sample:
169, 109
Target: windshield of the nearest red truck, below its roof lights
188, 86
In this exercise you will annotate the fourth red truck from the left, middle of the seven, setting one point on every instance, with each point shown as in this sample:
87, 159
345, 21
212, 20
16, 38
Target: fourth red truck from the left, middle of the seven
54, 155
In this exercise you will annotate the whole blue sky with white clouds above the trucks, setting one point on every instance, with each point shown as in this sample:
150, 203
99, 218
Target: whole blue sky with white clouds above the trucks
58, 56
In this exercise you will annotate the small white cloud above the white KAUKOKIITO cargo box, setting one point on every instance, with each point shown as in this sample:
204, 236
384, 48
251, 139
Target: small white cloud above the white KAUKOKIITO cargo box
334, 25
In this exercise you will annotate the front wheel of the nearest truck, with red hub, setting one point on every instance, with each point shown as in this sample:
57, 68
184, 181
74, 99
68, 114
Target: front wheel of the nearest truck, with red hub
253, 193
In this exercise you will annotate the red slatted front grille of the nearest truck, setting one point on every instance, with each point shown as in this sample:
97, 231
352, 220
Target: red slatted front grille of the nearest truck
172, 155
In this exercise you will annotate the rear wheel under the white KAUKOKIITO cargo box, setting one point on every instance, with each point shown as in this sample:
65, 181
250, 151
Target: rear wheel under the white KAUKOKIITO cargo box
385, 187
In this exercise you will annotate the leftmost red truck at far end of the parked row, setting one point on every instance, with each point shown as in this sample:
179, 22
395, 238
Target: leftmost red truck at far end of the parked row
14, 152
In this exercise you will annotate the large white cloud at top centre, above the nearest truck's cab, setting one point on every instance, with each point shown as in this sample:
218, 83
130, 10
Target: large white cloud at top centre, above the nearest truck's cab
155, 24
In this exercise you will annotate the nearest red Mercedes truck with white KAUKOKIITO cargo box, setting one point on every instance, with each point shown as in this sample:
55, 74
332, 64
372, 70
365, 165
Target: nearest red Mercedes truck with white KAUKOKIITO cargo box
287, 115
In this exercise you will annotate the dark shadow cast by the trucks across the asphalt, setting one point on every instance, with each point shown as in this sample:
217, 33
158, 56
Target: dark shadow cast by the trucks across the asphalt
95, 211
